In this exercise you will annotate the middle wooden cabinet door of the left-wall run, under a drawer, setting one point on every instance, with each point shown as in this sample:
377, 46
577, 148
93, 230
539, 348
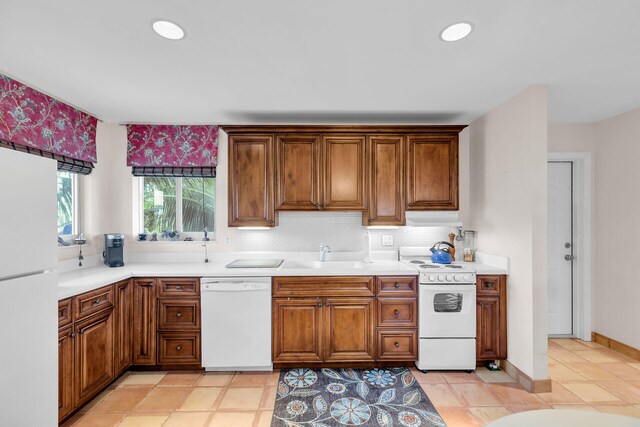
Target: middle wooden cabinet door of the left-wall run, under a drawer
93, 355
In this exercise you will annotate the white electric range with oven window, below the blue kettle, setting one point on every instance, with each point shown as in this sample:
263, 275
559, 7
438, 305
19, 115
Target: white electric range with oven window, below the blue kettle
446, 313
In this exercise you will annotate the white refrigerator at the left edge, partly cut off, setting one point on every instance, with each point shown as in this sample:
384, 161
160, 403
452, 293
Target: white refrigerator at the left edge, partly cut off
28, 290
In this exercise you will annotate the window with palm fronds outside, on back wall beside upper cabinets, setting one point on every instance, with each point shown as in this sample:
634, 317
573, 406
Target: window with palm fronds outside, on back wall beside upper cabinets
185, 205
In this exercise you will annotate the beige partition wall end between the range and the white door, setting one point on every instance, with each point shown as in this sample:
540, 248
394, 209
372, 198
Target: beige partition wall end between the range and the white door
508, 152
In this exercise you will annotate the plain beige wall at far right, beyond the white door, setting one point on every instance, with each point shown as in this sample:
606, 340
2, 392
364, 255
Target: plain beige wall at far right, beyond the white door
617, 228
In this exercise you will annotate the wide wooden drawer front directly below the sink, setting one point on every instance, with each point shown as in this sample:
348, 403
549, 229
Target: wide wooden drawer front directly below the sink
351, 286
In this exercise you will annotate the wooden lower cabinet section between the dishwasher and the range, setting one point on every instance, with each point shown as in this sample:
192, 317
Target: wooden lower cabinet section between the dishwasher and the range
329, 320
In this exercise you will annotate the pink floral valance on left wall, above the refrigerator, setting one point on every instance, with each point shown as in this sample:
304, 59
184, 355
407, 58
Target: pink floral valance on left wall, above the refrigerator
34, 122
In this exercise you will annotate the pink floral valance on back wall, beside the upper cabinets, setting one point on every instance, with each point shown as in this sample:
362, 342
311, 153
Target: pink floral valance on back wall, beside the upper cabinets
172, 146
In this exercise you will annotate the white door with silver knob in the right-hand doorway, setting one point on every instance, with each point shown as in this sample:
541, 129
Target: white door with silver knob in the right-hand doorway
560, 248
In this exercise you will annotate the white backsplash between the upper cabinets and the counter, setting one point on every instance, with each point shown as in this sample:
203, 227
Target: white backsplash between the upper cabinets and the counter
342, 231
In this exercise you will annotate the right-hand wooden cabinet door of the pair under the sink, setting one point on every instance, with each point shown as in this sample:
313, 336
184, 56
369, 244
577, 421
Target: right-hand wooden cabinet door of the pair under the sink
349, 330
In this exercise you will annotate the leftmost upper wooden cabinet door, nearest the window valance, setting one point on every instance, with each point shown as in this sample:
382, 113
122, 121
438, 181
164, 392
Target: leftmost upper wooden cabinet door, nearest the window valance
251, 181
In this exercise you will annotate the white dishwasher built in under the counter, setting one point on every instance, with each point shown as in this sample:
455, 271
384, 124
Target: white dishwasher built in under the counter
236, 323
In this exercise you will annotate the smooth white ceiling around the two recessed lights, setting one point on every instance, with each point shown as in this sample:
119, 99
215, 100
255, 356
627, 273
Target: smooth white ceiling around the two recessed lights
356, 61
